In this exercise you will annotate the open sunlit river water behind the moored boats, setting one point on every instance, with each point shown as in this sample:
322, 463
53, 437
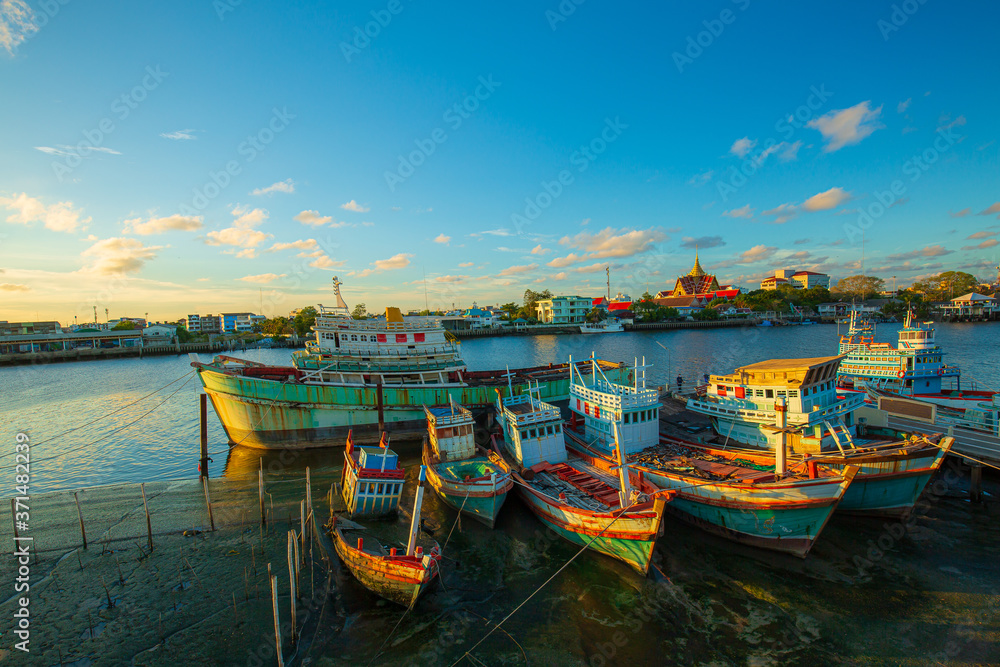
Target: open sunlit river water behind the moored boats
48, 400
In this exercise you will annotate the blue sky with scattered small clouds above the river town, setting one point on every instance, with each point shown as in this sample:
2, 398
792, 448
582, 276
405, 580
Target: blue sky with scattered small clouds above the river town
196, 156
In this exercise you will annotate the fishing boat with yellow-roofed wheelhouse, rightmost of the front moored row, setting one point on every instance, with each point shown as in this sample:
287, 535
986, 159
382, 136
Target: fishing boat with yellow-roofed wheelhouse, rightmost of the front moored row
794, 404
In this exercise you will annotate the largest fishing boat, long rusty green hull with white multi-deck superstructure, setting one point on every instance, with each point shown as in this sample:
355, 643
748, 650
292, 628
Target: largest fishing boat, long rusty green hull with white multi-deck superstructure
358, 375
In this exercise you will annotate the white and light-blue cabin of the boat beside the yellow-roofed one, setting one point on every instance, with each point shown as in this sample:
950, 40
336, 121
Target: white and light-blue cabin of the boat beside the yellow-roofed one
601, 404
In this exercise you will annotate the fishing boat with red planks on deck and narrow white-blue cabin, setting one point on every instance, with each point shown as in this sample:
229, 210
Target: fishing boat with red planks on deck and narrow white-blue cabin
612, 513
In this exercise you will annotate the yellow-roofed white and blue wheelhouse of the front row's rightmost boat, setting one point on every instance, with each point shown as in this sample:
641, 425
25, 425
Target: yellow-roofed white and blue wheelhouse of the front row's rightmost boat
744, 405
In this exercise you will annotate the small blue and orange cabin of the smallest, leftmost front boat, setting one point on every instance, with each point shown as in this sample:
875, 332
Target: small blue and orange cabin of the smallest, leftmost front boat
372, 479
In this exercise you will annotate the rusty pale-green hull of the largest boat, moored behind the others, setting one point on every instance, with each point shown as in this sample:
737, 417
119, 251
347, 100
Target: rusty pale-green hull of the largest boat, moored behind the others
270, 414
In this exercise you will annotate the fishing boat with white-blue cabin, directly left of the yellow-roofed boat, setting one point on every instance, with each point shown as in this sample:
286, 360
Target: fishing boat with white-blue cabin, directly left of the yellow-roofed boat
760, 505
